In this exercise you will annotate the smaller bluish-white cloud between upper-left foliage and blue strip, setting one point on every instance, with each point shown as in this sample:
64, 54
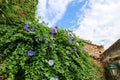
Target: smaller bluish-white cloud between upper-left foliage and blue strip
52, 10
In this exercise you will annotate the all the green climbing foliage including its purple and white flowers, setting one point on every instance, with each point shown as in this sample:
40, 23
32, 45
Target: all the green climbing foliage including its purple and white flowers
33, 51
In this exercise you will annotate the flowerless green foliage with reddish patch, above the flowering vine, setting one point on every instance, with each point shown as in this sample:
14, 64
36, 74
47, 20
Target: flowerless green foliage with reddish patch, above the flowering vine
17, 11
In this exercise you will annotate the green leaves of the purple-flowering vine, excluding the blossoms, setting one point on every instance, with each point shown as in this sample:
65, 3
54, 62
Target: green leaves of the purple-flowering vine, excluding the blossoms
16, 64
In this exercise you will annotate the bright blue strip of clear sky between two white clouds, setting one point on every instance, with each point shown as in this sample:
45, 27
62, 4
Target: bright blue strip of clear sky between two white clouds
70, 18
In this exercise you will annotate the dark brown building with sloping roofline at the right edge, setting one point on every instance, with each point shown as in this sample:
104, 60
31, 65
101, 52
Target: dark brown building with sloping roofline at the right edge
111, 60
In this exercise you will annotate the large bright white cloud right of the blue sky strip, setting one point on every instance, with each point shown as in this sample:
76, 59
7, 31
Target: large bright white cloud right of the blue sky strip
101, 22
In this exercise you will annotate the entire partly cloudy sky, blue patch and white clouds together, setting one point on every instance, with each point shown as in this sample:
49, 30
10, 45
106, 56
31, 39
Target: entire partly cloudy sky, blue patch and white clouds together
94, 20
